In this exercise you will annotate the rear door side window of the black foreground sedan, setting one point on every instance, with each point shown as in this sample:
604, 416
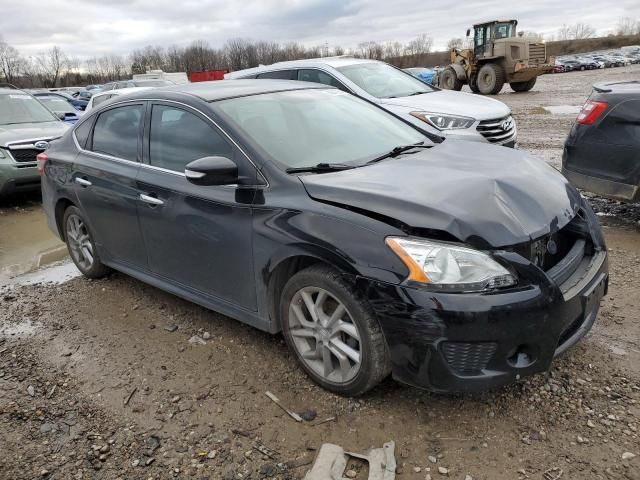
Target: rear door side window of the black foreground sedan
116, 132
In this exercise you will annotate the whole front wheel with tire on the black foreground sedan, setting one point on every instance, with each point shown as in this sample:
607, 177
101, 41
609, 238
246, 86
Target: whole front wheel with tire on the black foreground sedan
333, 332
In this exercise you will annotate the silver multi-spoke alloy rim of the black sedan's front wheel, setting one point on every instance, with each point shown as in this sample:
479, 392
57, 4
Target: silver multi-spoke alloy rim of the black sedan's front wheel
325, 335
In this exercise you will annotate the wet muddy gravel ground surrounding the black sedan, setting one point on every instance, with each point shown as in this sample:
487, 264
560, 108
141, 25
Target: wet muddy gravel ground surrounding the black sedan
98, 379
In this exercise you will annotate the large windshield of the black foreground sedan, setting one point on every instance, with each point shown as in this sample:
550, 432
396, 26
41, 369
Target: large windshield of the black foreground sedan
303, 128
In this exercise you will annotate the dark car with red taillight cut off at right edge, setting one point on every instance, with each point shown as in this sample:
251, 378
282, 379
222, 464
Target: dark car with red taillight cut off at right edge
602, 151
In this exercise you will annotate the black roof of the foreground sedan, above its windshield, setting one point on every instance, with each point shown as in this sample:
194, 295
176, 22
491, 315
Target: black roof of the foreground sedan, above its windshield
224, 89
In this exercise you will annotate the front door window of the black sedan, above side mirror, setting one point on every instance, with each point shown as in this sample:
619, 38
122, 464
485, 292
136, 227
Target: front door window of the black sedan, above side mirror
178, 137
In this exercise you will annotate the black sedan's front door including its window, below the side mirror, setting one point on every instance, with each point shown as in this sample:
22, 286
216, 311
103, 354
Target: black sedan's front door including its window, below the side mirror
199, 237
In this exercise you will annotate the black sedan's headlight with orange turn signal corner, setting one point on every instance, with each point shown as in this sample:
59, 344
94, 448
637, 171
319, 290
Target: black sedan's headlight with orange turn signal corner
450, 267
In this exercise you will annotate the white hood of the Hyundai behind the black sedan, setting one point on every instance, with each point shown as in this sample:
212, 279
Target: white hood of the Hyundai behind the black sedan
455, 103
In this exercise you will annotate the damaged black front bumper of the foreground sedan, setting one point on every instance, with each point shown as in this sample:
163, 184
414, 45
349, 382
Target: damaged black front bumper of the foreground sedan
473, 342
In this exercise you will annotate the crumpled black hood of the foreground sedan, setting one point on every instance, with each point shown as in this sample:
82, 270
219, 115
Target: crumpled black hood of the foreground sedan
483, 195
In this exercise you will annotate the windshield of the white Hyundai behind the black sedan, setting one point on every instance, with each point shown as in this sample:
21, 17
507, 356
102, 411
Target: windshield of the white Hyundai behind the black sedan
384, 81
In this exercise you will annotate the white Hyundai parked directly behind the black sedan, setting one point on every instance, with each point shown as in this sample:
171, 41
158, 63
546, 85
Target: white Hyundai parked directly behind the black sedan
452, 114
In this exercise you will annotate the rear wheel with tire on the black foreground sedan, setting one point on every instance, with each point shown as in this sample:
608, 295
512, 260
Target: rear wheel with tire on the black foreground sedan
81, 245
